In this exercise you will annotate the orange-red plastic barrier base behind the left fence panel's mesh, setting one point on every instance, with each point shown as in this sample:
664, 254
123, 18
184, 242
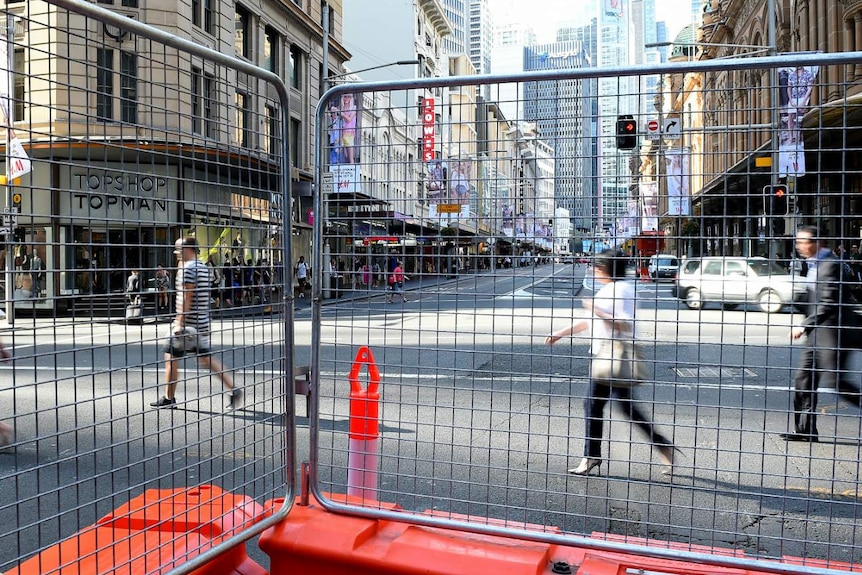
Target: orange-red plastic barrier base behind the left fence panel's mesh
153, 533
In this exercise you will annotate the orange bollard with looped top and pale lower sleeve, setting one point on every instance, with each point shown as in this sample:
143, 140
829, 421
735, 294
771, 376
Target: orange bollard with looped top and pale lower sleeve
364, 428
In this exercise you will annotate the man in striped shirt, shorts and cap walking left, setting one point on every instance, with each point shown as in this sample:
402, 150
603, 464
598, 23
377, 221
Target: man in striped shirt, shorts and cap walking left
190, 331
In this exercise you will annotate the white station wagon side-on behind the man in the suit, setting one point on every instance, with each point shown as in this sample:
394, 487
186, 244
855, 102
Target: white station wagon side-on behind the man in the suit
731, 281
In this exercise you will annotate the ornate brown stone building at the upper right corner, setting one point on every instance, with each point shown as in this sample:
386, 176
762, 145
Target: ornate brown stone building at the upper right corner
755, 136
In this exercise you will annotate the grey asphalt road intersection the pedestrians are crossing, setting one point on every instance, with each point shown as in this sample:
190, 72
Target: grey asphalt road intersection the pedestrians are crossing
478, 417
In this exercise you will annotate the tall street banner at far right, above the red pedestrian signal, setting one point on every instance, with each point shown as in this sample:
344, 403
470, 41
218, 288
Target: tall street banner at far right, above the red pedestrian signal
795, 84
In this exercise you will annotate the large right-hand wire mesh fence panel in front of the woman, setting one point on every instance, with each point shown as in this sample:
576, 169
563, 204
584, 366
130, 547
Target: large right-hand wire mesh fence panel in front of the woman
464, 228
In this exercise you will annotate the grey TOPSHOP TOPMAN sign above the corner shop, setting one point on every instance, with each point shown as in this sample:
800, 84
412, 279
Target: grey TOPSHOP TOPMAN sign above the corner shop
121, 194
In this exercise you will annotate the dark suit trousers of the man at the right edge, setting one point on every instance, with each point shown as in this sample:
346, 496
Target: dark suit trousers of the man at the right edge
822, 363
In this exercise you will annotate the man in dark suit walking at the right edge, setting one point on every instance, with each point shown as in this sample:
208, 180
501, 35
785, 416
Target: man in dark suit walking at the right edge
826, 326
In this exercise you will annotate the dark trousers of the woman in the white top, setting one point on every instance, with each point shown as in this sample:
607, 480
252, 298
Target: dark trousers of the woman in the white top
594, 407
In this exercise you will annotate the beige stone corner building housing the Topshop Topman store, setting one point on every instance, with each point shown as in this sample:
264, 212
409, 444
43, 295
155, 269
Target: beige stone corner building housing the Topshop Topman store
145, 130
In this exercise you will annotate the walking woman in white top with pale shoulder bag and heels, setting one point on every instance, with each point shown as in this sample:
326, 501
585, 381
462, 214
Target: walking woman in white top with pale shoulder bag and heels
613, 316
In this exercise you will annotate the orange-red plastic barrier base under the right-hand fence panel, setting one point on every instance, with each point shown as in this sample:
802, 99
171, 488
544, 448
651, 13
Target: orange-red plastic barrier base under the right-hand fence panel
311, 540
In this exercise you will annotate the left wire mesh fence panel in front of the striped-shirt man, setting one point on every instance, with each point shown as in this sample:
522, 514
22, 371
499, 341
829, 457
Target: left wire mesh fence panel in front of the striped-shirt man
123, 144
